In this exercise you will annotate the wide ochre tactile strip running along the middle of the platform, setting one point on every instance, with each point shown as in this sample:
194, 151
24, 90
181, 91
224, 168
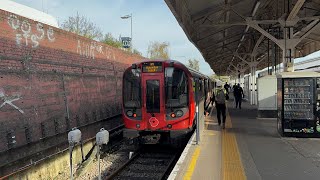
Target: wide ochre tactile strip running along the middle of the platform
231, 162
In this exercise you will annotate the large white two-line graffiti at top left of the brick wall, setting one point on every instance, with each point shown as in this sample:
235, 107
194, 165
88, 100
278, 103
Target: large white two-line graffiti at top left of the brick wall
25, 35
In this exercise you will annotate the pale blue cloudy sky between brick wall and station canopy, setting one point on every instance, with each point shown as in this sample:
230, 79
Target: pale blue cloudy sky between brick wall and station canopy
152, 21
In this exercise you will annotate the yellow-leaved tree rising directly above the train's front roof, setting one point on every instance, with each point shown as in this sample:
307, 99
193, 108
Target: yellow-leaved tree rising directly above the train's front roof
157, 50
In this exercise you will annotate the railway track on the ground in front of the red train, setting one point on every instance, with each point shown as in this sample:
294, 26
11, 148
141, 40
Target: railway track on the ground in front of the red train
153, 163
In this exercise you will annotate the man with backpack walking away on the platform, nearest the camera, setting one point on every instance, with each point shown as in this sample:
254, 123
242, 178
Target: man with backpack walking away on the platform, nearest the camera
220, 97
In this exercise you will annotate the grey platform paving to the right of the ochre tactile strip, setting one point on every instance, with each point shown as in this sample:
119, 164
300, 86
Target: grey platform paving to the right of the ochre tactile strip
265, 155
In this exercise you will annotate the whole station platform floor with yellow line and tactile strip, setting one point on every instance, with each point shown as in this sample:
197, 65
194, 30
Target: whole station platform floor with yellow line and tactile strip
248, 148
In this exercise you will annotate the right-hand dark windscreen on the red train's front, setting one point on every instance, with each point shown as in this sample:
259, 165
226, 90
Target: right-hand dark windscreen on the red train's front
176, 88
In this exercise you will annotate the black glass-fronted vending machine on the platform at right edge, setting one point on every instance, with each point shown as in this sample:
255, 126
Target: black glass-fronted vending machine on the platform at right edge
298, 98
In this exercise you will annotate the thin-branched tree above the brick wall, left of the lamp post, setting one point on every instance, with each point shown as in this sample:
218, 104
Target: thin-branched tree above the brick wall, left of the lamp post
82, 26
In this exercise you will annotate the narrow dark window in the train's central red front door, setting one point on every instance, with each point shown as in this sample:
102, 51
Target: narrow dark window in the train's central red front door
153, 96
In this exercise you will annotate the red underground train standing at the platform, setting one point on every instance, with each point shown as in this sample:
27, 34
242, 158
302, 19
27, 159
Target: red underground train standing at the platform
160, 99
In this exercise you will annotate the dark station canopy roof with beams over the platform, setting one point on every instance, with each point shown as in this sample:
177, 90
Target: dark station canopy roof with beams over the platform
229, 33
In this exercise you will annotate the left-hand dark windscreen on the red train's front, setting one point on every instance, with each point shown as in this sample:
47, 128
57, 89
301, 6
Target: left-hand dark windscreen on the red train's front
132, 88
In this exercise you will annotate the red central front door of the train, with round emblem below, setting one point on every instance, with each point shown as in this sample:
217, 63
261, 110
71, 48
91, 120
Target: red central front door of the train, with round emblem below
153, 101
